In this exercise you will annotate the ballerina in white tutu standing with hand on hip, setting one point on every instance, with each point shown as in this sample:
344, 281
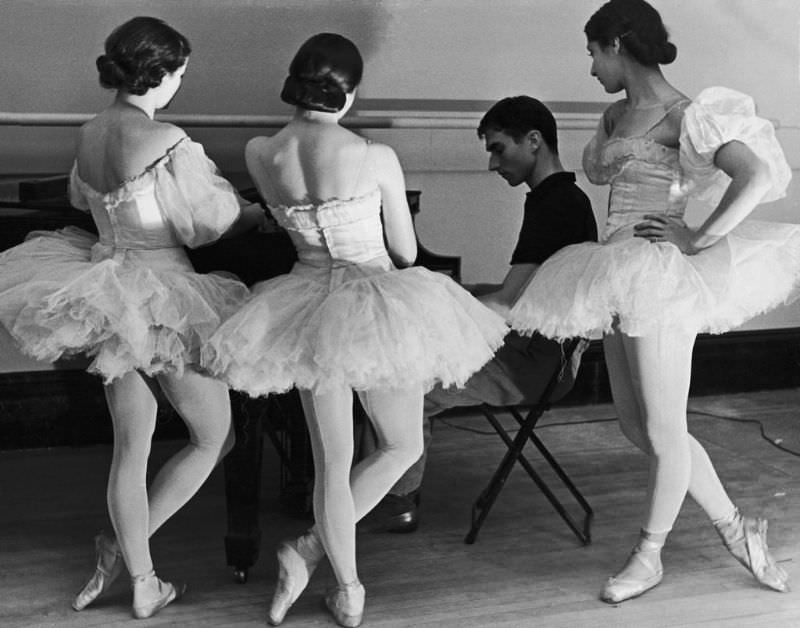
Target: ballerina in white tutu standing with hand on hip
653, 283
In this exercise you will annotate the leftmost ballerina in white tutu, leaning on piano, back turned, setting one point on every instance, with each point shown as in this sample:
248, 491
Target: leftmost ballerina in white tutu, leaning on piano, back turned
131, 300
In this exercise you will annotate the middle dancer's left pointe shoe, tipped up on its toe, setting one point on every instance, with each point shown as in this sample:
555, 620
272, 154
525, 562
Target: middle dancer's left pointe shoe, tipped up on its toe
297, 560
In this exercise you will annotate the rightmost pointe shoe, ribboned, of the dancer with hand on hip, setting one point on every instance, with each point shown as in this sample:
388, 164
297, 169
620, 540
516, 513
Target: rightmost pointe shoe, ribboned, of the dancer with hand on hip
746, 539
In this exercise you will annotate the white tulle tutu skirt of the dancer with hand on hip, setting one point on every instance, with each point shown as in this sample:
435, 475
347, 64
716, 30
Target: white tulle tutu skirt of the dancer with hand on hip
585, 288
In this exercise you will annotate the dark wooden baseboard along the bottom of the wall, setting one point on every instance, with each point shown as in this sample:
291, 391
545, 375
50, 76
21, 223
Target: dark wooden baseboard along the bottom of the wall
67, 407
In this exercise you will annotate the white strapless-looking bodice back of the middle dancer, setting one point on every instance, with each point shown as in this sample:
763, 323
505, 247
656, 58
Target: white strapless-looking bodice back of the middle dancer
336, 232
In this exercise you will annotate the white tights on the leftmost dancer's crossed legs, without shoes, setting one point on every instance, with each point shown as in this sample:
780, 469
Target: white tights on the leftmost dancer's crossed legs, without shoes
204, 406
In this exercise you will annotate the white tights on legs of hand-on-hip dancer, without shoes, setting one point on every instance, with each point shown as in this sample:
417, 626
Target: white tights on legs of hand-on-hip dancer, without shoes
650, 379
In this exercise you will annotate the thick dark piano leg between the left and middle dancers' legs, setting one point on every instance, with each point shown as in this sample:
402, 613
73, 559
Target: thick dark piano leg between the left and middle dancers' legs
243, 485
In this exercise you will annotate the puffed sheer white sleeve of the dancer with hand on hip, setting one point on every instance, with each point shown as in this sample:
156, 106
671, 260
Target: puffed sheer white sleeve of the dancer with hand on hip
717, 116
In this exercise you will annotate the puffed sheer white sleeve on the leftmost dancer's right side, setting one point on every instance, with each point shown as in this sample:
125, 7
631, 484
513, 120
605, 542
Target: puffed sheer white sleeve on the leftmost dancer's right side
199, 203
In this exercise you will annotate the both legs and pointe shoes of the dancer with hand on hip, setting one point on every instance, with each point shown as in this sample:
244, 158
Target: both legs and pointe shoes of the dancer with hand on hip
640, 370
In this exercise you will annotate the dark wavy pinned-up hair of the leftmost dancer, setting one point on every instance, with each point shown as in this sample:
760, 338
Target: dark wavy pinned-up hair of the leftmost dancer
139, 53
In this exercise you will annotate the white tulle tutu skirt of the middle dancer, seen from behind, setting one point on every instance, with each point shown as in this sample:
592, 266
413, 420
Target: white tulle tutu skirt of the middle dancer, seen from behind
356, 326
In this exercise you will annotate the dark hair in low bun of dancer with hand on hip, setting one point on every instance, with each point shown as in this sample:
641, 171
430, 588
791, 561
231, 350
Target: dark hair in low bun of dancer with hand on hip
638, 27
